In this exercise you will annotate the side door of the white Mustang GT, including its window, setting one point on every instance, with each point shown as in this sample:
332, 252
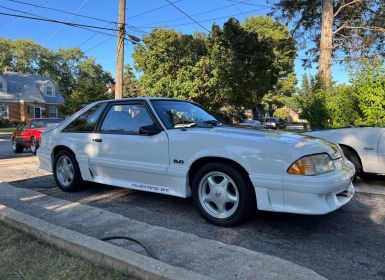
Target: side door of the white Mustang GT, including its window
124, 156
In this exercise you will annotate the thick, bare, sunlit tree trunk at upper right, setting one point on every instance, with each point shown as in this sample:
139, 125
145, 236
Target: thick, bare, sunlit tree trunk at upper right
326, 43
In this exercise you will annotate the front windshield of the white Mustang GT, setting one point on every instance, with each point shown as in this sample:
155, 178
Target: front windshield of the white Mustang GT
181, 114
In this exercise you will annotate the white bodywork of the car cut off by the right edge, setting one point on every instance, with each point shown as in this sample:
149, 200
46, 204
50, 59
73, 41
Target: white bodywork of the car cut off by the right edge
363, 146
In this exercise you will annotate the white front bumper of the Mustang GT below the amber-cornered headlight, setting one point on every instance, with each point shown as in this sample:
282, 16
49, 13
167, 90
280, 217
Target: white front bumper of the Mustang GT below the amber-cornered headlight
312, 195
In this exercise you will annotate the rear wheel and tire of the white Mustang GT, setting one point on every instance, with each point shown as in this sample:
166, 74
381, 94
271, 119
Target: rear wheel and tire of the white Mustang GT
66, 172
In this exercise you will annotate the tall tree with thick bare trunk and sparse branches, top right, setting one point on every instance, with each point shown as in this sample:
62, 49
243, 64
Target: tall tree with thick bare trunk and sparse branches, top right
353, 27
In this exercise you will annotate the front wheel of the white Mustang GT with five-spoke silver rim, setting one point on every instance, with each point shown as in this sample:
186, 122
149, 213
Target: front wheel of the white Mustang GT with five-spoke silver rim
220, 208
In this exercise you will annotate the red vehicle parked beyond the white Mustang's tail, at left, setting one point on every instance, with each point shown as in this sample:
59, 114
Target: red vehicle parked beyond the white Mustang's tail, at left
27, 134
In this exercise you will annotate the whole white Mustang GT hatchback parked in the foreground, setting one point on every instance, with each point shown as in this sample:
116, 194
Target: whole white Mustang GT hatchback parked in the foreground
177, 148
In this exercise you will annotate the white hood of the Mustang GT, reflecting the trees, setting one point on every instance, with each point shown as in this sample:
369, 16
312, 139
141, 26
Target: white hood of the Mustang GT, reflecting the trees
297, 144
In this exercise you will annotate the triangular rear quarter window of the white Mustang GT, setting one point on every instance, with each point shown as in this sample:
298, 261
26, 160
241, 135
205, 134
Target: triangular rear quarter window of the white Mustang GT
87, 121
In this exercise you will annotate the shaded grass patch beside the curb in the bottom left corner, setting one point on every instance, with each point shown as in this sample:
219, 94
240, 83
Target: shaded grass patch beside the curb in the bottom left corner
25, 257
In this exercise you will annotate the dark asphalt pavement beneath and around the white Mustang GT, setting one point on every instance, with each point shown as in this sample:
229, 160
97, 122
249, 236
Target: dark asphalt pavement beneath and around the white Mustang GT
346, 244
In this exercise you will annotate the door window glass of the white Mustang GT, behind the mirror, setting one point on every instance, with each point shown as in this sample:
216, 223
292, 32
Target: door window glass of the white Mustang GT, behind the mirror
126, 119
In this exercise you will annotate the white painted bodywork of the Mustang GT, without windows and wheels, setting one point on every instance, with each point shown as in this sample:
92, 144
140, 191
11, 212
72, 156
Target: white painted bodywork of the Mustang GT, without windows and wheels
147, 162
